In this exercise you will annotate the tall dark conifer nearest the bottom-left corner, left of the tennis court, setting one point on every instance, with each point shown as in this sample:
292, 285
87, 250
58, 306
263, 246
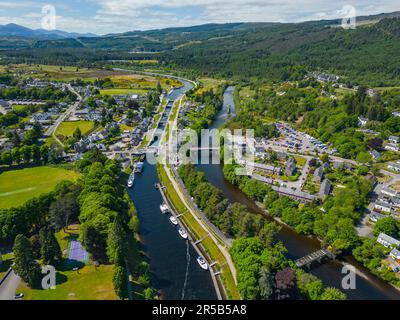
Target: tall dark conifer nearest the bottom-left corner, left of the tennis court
25, 264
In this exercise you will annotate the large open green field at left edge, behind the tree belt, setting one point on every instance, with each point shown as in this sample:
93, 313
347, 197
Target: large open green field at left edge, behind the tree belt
18, 186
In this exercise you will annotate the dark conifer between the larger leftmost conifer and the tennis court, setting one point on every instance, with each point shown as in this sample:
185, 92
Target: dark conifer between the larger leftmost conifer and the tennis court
50, 250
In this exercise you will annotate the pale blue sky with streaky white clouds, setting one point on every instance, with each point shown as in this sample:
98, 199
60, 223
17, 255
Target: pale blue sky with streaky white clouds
115, 16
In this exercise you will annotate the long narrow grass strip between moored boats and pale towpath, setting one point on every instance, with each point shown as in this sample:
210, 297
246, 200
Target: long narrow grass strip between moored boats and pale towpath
200, 233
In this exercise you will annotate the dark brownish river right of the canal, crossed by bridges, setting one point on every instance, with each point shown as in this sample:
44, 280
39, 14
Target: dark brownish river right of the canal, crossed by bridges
368, 286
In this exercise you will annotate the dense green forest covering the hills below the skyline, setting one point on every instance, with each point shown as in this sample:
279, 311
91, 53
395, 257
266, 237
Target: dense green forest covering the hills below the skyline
366, 55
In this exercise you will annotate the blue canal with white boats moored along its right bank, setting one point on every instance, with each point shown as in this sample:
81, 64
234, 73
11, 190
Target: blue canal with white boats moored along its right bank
175, 271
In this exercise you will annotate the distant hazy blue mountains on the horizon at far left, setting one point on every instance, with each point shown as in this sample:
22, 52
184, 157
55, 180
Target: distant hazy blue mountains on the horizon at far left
13, 30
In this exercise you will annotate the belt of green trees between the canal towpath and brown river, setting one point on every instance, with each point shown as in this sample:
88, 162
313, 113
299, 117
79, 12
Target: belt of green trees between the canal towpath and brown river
263, 270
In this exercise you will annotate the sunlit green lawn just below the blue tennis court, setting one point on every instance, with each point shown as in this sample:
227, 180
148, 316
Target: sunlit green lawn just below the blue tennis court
89, 283
